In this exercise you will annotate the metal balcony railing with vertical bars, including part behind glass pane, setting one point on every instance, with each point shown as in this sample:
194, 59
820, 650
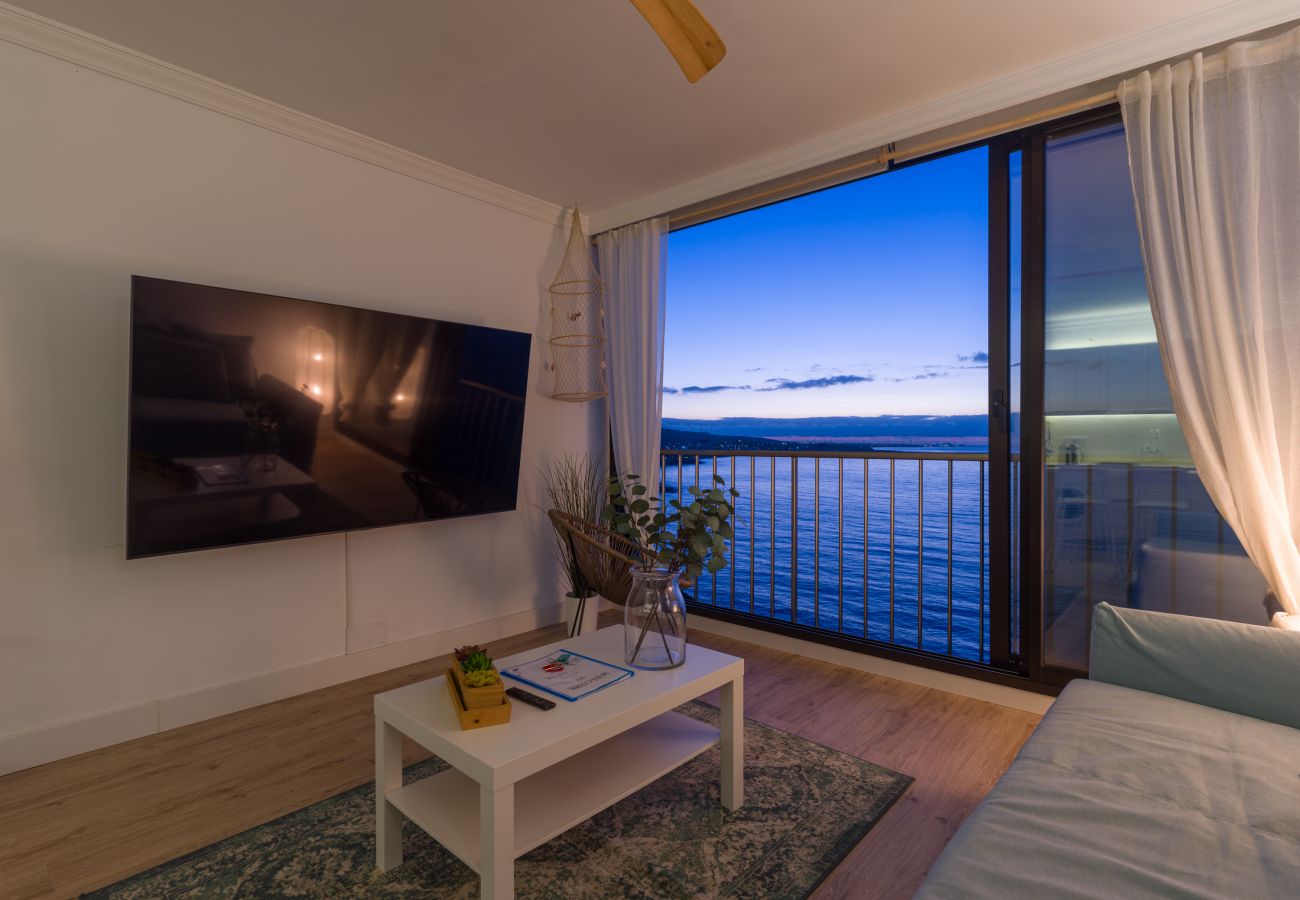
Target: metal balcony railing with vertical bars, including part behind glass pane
894, 547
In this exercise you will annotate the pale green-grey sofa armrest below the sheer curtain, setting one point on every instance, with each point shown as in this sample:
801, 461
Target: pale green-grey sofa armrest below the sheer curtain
1253, 670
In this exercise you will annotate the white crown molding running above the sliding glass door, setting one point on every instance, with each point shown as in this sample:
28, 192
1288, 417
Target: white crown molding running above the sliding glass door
1141, 50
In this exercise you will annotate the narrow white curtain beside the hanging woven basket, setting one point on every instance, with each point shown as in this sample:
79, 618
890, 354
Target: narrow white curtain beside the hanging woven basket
634, 265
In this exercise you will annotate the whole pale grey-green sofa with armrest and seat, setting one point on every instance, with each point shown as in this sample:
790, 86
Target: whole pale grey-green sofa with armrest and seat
1173, 772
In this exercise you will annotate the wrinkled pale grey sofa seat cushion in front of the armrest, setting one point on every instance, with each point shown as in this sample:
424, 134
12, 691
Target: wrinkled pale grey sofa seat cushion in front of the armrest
1128, 794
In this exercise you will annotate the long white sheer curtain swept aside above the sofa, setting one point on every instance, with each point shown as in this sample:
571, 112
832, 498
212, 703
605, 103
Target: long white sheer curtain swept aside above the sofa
1215, 153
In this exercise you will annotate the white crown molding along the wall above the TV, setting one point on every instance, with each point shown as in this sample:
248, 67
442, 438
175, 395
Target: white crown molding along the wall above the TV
37, 33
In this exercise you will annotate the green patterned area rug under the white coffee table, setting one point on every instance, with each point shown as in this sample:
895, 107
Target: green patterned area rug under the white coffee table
805, 808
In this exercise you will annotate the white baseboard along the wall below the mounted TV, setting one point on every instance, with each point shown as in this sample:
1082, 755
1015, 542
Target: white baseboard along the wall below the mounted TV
93, 733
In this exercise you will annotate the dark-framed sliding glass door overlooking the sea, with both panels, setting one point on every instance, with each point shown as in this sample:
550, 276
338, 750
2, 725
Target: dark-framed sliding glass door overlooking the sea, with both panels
941, 395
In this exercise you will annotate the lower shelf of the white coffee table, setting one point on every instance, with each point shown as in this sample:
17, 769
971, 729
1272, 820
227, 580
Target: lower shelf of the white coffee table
556, 799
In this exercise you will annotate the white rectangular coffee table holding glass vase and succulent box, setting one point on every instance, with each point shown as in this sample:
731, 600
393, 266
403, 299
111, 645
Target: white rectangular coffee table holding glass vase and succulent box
515, 786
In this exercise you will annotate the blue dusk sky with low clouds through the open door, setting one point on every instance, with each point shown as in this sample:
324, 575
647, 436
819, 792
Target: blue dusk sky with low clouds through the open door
864, 300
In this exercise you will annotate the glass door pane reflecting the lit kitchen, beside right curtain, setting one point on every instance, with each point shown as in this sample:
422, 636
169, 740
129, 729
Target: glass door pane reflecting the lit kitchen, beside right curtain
1126, 520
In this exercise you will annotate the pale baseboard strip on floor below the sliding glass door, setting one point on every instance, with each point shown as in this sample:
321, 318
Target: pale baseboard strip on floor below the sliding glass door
903, 672
